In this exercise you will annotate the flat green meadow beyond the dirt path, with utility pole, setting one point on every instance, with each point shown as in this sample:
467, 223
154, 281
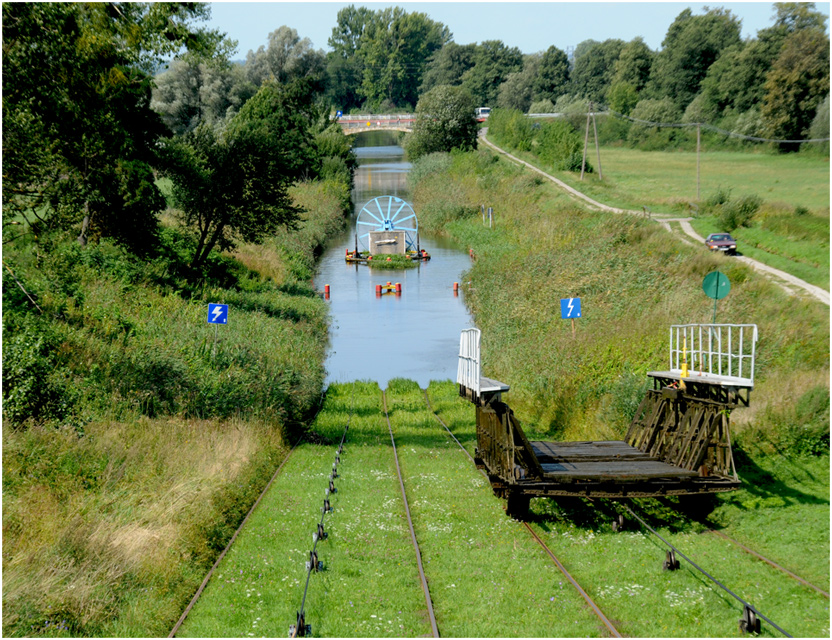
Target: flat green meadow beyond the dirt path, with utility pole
790, 231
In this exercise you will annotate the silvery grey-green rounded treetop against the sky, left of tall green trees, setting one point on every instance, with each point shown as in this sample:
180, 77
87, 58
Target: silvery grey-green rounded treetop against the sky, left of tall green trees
287, 57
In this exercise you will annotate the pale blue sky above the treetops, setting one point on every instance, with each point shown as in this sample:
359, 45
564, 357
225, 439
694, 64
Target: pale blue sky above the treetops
529, 26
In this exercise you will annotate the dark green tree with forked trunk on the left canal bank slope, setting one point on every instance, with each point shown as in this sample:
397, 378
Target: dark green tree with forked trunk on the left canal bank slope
234, 182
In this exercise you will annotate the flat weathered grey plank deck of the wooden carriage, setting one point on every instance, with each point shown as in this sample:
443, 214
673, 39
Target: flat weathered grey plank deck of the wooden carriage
601, 460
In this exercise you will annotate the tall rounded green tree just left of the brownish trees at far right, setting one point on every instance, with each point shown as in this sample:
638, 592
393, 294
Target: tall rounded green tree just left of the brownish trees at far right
691, 46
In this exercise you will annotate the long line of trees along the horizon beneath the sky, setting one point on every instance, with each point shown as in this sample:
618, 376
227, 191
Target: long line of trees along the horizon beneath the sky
775, 85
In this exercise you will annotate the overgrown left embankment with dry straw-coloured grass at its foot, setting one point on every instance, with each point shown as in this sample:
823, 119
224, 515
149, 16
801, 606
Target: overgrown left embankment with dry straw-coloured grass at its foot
150, 440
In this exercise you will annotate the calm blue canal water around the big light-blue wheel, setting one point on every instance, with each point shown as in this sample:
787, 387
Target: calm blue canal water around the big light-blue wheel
414, 335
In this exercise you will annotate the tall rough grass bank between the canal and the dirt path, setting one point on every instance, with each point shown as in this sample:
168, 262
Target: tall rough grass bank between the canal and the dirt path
634, 282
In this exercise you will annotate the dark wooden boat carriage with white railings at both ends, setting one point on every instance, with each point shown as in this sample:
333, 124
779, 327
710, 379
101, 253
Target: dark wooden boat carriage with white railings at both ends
678, 442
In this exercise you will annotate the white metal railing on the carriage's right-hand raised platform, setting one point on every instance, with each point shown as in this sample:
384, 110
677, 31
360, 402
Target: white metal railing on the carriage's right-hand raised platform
724, 350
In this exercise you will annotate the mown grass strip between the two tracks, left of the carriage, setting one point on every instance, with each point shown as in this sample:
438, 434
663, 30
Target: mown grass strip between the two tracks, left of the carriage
487, 576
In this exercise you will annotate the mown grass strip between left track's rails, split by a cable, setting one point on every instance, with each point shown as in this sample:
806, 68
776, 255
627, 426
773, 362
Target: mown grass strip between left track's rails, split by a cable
369, 586
